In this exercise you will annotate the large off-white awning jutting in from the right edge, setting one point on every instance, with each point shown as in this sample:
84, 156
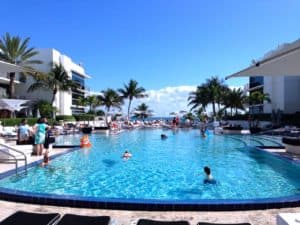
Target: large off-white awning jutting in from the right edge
285, 61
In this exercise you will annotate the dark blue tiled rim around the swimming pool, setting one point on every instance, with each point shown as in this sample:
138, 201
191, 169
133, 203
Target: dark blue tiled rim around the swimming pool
145, 204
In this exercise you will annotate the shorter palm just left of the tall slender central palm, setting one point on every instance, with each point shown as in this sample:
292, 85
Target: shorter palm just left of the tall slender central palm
109, 99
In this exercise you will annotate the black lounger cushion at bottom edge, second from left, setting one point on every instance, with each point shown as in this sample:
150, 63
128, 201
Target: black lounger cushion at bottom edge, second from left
70, 219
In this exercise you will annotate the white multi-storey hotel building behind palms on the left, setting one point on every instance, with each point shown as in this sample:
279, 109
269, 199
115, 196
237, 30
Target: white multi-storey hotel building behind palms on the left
65, 102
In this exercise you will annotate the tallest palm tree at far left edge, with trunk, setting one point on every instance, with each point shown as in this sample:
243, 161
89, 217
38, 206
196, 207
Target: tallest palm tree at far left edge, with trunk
16, 51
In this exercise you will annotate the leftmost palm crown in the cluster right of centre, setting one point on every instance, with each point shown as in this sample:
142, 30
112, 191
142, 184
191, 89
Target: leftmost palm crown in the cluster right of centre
199, 98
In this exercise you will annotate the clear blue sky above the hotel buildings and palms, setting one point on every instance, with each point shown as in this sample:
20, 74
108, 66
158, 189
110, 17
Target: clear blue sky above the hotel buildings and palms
160, 43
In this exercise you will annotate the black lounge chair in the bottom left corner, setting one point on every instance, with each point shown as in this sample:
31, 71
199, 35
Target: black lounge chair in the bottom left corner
28, 218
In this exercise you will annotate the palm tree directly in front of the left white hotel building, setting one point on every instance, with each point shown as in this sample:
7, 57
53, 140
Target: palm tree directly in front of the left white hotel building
56, 80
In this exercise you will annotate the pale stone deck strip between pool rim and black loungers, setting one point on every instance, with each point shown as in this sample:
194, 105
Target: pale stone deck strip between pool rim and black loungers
123, 217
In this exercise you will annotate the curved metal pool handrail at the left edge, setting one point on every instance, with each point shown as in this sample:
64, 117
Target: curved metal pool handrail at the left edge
9, 158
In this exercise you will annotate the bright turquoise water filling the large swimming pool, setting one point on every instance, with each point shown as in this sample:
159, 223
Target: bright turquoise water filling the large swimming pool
170, 169
